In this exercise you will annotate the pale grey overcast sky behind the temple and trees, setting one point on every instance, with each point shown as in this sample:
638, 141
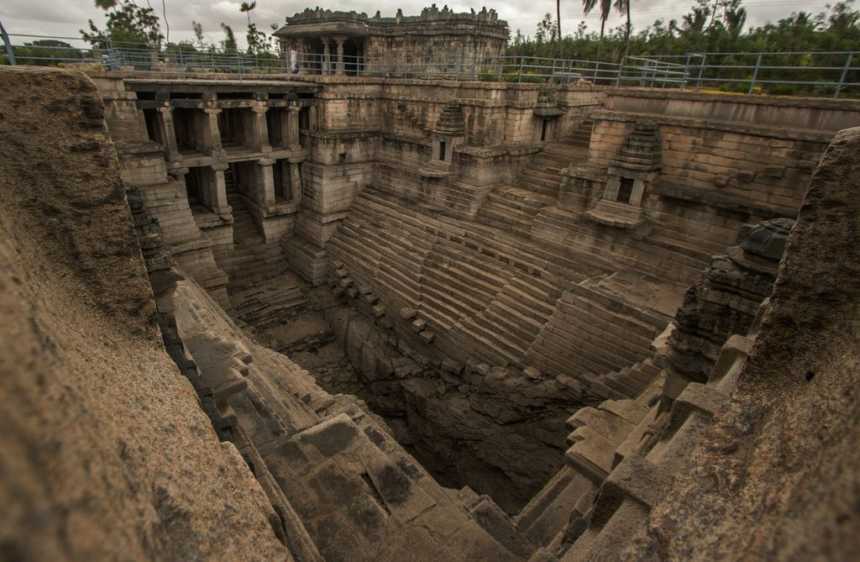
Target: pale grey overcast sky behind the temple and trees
66, 17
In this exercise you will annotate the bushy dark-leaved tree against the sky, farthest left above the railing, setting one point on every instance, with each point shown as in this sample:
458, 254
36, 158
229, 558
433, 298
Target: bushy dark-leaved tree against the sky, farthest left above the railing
127, 24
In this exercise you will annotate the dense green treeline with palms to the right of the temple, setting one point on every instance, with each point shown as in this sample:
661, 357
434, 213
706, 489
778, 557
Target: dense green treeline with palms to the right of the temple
720, 27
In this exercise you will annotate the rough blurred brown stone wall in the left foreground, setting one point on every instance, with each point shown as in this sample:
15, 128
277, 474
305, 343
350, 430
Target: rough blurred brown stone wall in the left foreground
105, 453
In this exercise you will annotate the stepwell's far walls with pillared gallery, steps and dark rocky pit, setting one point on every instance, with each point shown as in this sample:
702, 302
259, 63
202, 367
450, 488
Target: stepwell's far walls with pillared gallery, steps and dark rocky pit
544, 232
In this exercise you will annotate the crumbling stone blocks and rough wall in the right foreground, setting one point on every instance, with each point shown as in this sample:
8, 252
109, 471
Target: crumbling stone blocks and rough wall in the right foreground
715, 464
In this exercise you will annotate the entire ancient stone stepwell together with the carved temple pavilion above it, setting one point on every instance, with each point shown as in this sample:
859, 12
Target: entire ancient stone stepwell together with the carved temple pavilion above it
336, 315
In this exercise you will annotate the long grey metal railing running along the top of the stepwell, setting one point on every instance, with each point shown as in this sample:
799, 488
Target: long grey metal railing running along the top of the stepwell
831, 73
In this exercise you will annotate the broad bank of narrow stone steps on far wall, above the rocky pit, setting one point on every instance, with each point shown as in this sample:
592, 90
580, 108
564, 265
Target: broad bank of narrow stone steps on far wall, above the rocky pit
494, 296
